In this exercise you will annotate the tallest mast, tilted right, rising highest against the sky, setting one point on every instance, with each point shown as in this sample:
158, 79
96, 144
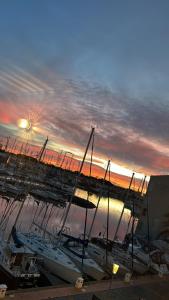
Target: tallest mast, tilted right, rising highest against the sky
75, 186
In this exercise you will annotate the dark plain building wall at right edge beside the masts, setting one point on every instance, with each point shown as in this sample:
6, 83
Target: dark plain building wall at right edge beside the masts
158, 207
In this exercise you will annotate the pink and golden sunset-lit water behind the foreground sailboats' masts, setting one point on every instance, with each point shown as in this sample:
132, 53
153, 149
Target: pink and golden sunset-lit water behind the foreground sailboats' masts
75, 220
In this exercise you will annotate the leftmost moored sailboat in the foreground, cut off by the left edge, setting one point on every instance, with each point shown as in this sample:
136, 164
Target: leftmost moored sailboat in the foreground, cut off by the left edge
17, 262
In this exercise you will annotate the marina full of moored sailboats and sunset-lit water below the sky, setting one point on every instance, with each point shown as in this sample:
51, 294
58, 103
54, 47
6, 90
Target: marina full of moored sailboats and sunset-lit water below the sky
44, 242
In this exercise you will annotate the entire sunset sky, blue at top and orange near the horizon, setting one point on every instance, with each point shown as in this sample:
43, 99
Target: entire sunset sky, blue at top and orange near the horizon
69, 65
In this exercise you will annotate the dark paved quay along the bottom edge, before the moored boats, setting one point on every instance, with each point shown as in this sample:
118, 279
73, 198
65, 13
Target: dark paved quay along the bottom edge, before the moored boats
141, 288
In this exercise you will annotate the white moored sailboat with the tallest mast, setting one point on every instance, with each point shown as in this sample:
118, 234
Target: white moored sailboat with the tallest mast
61, 260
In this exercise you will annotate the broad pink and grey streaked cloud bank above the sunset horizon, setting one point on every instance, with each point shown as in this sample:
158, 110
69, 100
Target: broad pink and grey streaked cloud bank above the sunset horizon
132, 131
